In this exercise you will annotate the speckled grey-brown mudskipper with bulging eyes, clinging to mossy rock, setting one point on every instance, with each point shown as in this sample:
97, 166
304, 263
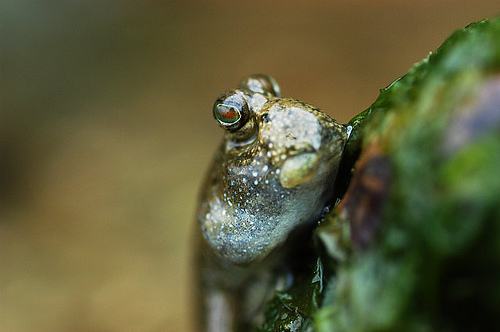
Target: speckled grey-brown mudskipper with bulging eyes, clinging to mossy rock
275, 170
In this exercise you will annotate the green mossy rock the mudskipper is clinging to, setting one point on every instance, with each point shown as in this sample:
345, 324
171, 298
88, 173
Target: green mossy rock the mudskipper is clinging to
414, 244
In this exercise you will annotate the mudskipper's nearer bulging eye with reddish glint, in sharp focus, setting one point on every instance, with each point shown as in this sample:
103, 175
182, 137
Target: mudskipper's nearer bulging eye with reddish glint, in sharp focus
231, 111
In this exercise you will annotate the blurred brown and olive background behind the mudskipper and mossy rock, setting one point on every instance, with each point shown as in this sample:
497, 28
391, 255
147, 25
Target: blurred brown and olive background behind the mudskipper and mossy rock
106, 132
